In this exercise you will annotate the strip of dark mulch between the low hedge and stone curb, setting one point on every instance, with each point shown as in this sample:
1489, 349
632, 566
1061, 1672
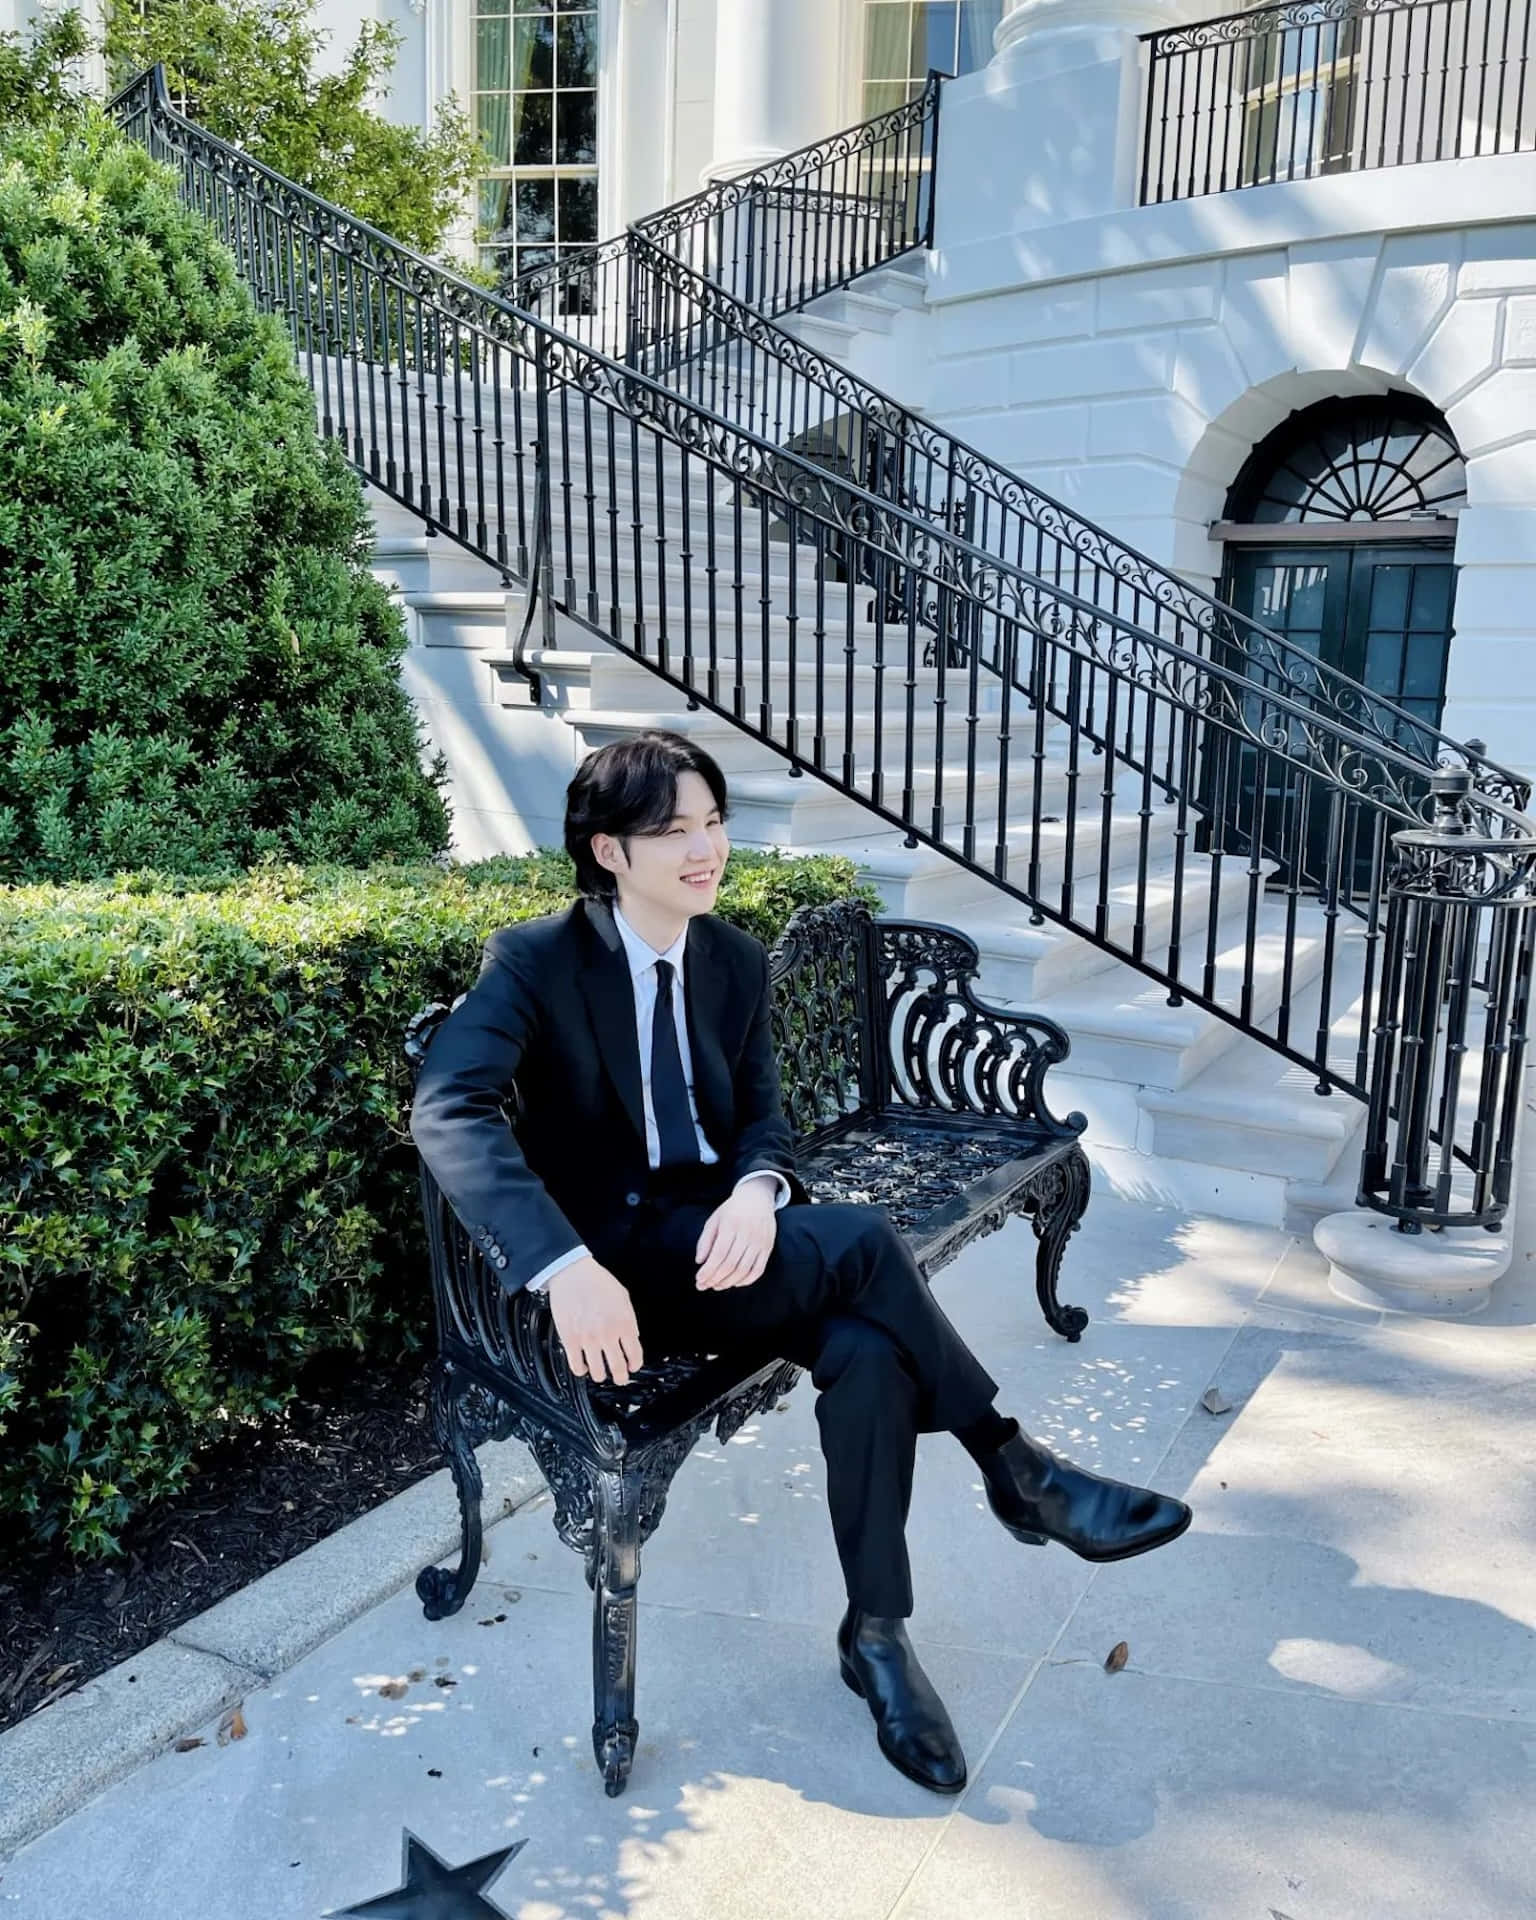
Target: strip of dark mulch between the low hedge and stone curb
347, 1445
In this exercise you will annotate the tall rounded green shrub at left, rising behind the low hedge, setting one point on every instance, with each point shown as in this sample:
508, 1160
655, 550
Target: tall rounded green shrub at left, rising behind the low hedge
197, 667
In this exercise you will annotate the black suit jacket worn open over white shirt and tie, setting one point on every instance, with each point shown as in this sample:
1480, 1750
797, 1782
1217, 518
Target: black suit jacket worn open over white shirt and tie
556, 1009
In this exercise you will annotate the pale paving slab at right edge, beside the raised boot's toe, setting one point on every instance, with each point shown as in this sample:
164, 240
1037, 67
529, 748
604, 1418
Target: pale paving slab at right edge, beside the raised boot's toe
1366, 1529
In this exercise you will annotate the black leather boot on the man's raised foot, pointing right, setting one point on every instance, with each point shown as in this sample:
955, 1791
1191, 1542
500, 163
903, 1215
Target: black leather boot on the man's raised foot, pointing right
1040, 1497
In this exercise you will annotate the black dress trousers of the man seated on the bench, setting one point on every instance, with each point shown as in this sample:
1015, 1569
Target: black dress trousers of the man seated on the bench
844, 1299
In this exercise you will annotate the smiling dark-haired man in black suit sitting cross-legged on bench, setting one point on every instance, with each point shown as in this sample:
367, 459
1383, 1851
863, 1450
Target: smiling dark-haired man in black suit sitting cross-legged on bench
652, 1189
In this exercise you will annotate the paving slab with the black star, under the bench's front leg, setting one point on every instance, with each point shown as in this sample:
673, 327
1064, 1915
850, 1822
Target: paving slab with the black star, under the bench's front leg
754, 1762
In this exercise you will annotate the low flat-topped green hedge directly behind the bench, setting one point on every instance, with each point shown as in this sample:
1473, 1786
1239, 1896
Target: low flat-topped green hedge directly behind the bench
208, 1172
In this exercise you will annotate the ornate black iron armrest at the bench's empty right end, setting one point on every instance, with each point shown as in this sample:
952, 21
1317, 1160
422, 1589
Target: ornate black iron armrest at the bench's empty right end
951, 1051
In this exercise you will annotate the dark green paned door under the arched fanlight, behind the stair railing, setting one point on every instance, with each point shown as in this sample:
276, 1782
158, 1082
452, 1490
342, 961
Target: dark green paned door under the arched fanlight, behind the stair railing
1380, 613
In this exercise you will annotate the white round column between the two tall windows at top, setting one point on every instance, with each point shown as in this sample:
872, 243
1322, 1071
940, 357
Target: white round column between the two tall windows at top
775, 80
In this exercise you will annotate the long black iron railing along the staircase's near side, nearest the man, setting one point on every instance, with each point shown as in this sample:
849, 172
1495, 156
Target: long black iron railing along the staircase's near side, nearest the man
1182, 809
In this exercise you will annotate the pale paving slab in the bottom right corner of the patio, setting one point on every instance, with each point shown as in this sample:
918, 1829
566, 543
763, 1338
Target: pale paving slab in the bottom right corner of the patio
1145, 1798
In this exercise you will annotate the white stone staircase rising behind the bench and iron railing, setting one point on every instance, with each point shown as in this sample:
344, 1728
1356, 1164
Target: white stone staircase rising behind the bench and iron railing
1182, 1107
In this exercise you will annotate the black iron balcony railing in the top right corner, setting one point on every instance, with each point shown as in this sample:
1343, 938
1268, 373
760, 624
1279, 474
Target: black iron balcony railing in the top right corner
1287, 93
